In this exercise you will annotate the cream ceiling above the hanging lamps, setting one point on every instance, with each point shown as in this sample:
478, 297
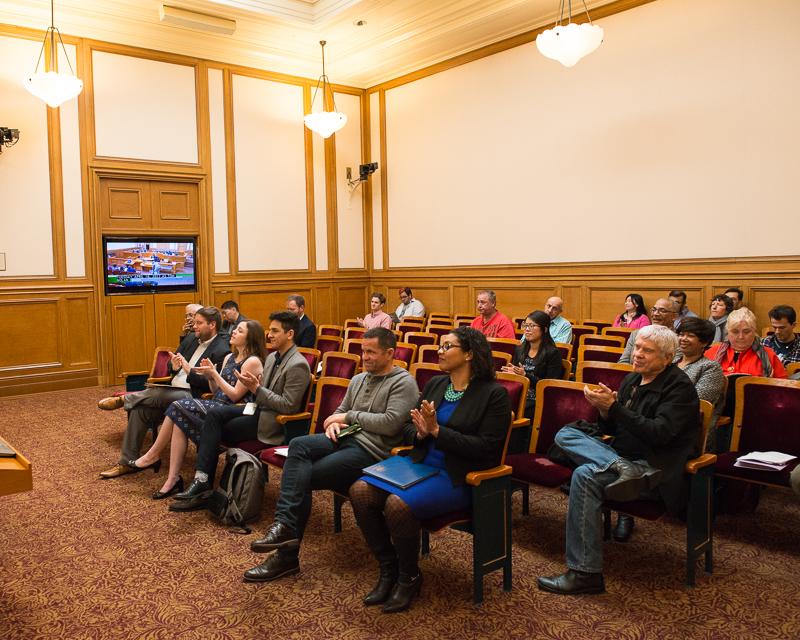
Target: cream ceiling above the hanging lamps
399, 36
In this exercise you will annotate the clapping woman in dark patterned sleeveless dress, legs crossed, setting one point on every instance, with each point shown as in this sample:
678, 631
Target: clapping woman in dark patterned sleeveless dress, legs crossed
248, 350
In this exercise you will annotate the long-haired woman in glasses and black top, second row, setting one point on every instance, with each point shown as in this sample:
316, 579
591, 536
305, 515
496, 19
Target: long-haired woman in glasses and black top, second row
537, 357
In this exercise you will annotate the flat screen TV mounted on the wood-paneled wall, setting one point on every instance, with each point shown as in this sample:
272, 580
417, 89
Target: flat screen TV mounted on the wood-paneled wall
149, 264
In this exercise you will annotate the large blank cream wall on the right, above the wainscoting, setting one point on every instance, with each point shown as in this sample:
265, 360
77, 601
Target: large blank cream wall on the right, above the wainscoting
677, 138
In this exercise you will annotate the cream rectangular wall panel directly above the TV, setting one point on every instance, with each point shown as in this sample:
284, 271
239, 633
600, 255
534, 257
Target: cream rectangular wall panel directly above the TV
144, 109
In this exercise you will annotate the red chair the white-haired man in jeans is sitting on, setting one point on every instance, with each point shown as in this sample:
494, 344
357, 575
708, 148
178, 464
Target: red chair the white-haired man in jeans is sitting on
699, 530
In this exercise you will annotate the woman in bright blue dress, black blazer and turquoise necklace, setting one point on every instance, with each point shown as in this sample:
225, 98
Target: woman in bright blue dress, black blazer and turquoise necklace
461, 426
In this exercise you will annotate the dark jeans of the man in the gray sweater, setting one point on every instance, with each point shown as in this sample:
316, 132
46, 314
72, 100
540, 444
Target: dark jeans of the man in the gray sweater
313, 463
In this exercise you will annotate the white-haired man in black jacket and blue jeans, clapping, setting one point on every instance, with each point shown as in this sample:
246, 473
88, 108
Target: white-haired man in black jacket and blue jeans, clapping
654, 421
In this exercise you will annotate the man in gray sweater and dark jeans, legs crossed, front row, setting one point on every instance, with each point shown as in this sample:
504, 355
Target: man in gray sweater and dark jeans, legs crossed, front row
379, 401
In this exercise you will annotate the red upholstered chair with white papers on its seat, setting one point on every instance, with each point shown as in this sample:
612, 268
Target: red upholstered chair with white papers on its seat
766, 419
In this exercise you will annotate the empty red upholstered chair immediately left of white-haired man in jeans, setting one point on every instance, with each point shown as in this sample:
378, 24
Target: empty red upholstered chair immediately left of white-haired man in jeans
558, 403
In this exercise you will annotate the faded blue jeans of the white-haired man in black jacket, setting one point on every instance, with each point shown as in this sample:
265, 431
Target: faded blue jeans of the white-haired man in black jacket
586, 495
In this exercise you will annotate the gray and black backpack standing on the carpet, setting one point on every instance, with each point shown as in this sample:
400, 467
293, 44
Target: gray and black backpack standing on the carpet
240, 495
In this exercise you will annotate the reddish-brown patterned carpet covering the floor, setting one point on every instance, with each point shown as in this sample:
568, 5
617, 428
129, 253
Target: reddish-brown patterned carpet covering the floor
84, 558
